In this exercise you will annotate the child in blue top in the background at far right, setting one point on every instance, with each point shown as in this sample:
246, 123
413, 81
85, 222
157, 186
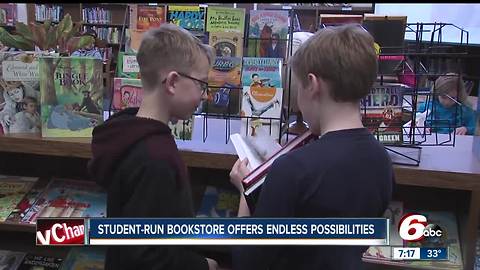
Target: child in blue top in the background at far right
448, 109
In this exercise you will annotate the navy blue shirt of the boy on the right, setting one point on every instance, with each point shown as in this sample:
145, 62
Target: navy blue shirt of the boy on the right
346, 173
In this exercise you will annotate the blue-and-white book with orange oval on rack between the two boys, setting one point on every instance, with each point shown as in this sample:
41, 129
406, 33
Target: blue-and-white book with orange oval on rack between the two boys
262, 95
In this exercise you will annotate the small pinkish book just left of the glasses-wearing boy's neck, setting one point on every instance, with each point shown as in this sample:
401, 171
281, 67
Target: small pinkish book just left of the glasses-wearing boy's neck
127, 93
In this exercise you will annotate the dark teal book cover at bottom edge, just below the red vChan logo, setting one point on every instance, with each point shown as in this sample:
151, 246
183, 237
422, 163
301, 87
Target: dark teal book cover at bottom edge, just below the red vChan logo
83, 258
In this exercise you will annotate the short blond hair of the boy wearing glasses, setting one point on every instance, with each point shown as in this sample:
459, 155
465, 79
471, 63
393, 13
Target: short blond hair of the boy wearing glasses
169, 48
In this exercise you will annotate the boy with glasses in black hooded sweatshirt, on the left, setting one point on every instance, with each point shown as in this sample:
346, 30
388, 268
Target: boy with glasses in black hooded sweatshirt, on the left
135, 156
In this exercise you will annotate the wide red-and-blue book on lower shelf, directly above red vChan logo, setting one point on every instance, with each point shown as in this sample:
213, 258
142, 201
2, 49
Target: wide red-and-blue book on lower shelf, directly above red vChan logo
69, 198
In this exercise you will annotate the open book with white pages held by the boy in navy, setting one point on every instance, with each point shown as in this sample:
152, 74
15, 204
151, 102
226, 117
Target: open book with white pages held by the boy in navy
262, 162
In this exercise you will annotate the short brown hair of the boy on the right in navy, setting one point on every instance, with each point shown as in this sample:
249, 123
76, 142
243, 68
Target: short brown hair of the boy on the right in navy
344, 56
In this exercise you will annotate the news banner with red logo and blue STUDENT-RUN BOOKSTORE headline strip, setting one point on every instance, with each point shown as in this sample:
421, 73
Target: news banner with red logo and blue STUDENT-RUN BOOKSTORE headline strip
209, 231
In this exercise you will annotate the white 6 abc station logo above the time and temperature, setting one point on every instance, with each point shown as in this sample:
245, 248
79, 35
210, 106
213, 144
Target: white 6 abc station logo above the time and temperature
414, 227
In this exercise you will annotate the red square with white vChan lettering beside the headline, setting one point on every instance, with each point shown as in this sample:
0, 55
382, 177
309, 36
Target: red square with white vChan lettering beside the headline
56, 232
